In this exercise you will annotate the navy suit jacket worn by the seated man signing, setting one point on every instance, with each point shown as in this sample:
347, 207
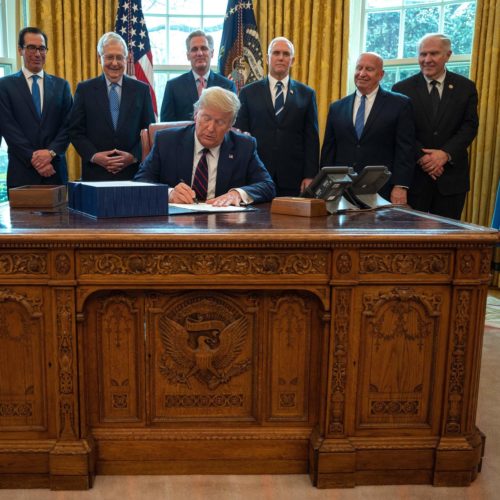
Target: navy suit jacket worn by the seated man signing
171, 159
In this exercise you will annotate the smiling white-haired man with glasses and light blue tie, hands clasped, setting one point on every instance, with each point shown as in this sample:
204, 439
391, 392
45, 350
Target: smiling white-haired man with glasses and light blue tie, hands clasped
108, 115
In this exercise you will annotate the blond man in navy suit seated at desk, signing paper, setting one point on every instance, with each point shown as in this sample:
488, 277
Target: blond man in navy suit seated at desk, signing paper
208, 160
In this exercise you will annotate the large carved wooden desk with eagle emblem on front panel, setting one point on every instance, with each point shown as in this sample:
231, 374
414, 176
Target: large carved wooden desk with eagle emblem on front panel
348, 347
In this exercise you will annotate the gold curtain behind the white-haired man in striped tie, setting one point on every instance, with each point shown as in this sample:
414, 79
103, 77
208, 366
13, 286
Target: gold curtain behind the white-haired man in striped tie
319, 31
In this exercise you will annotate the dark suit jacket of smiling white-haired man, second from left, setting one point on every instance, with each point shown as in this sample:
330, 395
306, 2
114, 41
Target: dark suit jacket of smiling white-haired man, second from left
91, 127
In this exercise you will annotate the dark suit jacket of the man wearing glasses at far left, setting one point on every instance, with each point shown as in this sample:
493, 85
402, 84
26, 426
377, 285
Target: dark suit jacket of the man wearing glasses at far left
24, 132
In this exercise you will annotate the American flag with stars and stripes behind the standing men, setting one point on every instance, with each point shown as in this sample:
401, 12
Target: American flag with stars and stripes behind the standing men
131, 26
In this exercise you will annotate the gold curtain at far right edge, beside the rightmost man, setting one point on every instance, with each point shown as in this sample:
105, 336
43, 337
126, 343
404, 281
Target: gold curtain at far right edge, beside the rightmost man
485, 152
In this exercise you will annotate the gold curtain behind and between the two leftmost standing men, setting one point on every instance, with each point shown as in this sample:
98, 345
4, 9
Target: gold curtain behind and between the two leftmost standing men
73, 29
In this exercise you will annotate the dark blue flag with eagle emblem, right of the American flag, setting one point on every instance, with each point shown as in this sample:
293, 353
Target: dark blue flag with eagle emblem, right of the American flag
240, 55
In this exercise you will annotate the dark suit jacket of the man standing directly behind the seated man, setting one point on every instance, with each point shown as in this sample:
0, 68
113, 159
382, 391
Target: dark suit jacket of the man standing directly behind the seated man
181, 93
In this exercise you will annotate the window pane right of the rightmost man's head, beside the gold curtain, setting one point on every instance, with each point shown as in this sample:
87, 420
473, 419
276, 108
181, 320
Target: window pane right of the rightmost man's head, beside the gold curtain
459, 26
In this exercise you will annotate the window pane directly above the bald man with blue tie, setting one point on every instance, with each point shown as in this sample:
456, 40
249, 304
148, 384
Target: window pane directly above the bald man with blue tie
382, 34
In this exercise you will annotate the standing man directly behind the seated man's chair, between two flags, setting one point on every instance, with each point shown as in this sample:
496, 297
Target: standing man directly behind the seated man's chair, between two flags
182, 92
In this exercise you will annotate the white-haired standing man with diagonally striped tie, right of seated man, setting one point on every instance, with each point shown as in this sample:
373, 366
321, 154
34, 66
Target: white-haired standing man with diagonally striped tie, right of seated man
282, 115
